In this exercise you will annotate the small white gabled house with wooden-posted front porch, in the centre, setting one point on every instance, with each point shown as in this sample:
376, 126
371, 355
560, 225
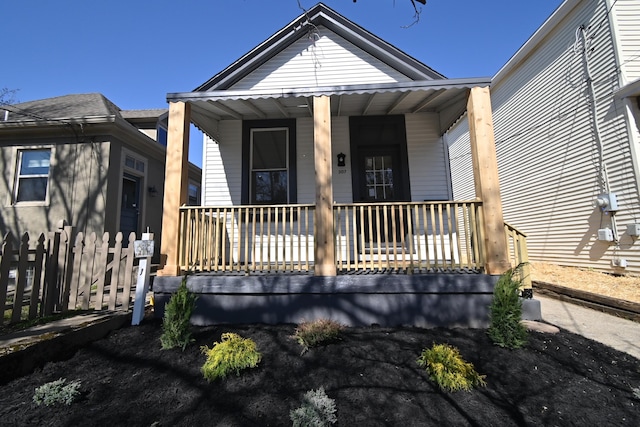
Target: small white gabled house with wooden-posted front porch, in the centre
327, 189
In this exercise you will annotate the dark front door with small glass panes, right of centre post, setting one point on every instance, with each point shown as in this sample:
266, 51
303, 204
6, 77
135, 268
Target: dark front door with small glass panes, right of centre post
380, 174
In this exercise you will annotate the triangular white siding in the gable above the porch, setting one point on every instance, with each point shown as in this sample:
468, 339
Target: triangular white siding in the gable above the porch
326, 60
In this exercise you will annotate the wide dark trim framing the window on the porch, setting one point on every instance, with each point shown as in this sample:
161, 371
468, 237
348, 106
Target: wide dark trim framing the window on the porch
247, 166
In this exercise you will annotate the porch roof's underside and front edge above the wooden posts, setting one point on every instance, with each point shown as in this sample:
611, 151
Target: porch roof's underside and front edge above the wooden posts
447, 97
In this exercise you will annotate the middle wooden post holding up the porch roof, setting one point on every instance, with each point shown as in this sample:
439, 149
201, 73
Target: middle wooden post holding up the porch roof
324, 247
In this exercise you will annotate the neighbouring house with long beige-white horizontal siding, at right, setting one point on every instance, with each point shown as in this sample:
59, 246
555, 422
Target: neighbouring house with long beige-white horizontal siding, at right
566, 117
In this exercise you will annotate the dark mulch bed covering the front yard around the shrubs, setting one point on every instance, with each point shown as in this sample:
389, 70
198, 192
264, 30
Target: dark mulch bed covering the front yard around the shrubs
371, 373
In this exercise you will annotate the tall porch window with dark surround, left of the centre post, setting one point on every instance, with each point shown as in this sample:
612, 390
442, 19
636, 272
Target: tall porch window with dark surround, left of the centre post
269, 162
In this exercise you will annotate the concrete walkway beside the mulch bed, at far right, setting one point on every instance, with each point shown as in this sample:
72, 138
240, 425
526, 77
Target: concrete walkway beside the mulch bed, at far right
615, 332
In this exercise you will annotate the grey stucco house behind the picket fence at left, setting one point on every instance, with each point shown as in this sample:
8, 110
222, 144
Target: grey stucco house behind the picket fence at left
81, 159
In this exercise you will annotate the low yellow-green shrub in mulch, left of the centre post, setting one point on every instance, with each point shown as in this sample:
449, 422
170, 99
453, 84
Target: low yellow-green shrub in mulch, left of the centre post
232, 354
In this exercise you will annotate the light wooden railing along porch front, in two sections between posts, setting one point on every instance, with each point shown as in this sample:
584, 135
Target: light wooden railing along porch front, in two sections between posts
412, 236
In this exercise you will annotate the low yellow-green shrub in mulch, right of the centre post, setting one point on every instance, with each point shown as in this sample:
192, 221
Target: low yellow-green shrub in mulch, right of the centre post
448, 369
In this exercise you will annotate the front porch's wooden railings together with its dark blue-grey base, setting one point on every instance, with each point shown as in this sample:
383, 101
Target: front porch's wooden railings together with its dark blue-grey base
415, 263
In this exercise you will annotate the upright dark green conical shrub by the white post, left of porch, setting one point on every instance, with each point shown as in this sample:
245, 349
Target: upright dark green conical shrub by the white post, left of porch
176, 325
